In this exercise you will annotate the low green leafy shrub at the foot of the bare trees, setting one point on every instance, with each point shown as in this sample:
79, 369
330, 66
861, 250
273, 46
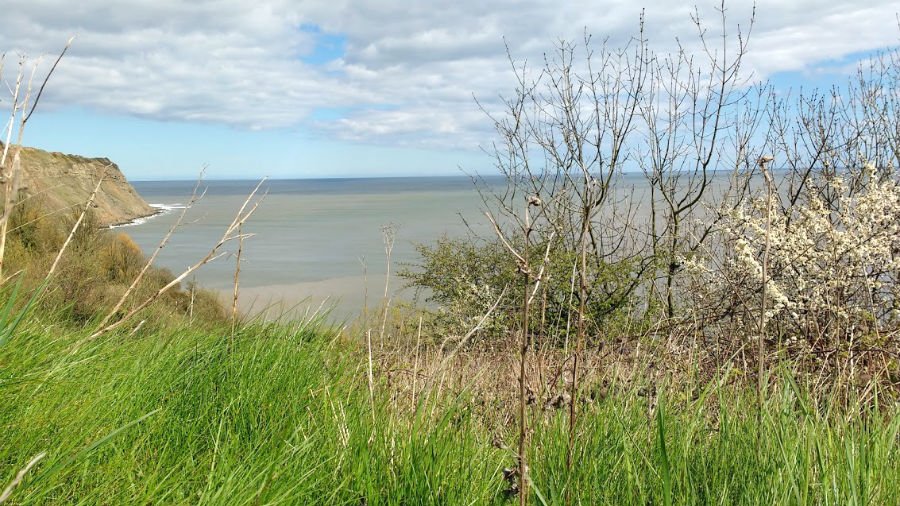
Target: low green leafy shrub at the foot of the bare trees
465, 278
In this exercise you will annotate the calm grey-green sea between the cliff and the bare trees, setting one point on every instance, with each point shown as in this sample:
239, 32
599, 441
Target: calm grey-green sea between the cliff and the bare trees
314, 240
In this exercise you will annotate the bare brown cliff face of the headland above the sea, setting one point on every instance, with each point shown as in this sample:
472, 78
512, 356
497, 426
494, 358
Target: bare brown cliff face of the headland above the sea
65, 181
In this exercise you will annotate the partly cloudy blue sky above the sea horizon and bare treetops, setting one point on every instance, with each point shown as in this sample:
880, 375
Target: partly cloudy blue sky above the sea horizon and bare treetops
341, 88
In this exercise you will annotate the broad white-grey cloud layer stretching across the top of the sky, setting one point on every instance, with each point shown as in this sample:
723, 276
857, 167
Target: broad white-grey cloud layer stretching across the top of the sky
410, 68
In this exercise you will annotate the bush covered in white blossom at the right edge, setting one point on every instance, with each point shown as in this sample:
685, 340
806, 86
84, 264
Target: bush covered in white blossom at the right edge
833, 262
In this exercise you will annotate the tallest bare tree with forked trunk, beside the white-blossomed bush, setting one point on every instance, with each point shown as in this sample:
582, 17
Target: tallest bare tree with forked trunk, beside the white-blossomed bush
699, 120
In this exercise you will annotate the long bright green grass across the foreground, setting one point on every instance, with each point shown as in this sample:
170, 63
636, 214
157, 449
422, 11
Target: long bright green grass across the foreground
282, 415
